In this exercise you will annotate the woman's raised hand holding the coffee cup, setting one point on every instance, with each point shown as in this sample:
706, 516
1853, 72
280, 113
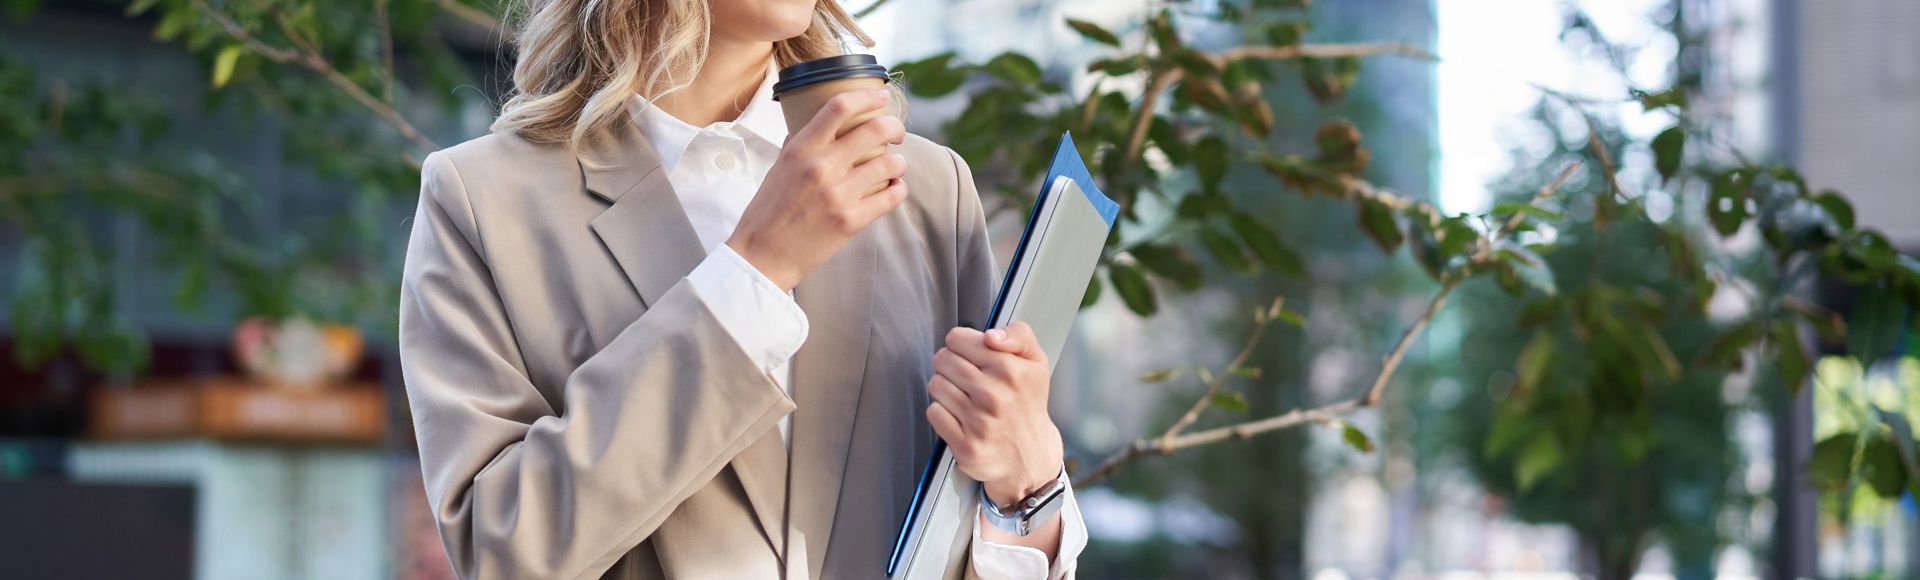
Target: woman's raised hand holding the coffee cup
815, 199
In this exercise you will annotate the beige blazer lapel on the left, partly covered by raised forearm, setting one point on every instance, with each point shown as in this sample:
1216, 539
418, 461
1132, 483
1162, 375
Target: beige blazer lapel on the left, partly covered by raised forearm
650, 237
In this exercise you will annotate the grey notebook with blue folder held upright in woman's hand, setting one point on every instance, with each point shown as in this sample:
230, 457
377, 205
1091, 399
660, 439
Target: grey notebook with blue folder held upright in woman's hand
1044, 287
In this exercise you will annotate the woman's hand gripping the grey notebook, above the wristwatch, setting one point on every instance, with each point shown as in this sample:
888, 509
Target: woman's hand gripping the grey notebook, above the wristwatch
990, 406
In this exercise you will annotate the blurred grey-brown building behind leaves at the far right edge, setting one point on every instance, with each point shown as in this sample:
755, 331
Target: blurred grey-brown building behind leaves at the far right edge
1846, 110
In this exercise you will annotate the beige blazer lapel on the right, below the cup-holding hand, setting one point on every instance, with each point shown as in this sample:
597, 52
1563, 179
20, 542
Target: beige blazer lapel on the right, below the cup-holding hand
828, 375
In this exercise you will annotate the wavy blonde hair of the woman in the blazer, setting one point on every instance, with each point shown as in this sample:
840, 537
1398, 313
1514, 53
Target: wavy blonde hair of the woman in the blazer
583, 60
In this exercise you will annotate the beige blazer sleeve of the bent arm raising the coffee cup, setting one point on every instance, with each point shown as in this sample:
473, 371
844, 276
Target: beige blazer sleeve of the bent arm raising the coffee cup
525, 491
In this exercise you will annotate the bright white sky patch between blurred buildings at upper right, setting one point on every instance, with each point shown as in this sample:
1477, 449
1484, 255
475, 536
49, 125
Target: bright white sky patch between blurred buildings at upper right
1491, 51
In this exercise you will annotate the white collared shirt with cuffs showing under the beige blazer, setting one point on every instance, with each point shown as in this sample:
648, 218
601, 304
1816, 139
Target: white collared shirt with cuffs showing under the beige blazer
715, 172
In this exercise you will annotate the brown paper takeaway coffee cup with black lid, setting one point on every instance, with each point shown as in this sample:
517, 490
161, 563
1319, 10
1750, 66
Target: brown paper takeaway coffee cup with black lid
805, 87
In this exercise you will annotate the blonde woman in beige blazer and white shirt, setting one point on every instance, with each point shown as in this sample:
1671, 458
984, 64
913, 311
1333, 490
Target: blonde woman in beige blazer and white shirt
648, 333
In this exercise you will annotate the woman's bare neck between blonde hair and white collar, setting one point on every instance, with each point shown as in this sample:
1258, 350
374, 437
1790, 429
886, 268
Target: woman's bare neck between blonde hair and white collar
725, 85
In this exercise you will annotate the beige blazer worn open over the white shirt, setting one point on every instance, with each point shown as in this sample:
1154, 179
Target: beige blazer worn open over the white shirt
583, 414
